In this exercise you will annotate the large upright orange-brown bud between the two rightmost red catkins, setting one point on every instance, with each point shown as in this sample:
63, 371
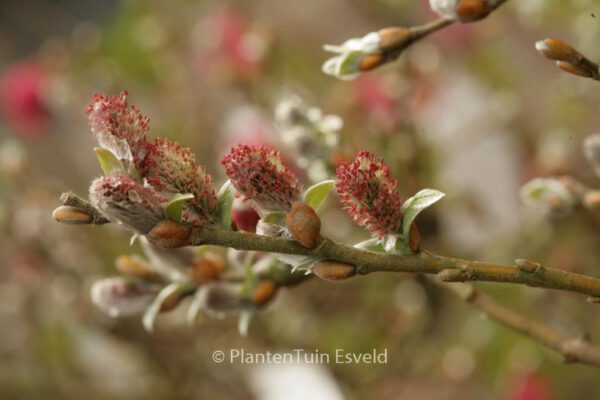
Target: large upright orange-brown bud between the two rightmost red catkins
304, 224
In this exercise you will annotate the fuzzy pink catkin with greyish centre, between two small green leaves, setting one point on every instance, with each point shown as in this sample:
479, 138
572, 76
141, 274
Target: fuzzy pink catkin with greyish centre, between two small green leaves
171, 168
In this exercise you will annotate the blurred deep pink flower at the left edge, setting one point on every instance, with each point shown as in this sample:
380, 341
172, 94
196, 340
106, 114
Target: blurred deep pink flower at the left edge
21, 99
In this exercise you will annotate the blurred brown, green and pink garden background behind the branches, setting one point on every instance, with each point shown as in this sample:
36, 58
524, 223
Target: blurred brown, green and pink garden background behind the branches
473, 111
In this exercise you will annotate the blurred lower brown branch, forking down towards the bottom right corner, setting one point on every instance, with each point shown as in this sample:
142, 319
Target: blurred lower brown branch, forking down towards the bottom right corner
574, 350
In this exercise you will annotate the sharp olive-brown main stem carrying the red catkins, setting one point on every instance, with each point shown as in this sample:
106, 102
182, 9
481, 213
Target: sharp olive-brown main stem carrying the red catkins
448, 268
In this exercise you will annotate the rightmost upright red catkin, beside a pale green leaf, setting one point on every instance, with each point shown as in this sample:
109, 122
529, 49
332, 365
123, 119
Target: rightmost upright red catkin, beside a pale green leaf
369, 194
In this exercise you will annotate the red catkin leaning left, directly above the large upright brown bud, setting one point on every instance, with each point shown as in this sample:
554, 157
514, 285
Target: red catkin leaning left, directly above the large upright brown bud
259, 174
